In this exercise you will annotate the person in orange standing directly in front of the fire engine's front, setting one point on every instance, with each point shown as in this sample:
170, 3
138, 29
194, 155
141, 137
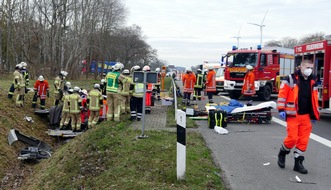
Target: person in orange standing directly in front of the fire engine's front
249, 87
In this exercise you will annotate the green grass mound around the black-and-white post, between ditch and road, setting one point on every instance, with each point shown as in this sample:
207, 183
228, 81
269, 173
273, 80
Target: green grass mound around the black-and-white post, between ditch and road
111, 157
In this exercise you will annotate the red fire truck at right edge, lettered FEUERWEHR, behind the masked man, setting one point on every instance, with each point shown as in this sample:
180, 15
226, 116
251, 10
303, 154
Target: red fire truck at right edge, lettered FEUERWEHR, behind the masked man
320, 53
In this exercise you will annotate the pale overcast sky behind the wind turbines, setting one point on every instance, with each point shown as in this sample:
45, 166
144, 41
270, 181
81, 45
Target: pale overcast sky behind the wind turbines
188, 32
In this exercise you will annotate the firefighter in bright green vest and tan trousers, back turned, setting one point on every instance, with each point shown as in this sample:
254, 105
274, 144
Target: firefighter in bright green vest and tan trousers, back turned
114, 81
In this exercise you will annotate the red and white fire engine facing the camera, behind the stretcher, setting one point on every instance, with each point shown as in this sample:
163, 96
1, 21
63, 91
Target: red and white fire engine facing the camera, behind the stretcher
269, 63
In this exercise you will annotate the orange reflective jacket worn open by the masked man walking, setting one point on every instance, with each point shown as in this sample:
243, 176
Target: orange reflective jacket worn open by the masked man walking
288, 97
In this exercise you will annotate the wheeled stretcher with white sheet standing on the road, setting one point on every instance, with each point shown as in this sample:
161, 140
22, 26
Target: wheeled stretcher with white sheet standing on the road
260, 113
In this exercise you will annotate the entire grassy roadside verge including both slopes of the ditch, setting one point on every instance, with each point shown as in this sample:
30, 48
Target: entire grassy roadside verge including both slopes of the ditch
106, 157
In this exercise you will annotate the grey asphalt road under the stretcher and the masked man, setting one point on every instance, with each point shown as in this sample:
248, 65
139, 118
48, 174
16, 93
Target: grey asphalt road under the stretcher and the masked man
249, 159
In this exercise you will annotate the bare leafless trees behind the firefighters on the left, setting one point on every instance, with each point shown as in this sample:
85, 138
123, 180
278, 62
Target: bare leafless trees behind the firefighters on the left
55, 35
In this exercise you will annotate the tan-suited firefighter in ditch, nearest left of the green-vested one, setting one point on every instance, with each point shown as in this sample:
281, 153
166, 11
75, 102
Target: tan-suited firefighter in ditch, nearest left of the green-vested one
94, 103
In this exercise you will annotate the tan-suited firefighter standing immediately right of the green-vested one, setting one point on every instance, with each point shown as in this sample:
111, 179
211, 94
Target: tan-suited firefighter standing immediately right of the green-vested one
126, 93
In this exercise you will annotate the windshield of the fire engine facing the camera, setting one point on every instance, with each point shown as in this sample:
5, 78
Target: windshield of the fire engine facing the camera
241, 59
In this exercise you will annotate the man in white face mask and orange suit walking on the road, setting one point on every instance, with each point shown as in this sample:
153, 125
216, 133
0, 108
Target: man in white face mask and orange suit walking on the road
298, 105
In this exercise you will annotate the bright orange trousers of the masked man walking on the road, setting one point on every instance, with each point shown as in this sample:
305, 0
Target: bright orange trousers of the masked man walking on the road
298, 132
